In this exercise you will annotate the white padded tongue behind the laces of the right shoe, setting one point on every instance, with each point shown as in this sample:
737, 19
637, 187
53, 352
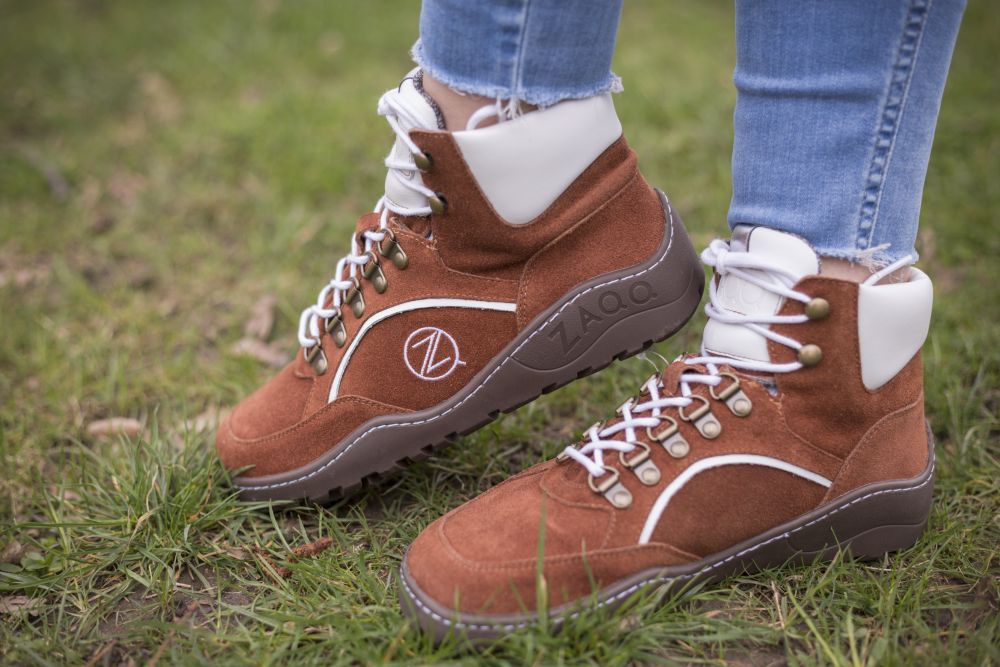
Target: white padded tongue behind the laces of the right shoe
737, 295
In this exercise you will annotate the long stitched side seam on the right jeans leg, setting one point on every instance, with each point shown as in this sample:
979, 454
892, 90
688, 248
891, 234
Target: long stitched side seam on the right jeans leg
890, 118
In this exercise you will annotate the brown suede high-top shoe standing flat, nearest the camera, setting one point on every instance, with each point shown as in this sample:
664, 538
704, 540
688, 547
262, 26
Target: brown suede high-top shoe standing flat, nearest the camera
798, 430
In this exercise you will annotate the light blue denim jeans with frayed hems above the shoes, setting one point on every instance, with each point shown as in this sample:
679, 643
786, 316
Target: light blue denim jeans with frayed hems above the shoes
835, 114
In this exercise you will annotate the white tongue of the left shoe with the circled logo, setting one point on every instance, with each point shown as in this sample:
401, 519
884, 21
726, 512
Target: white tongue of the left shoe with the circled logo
421, 113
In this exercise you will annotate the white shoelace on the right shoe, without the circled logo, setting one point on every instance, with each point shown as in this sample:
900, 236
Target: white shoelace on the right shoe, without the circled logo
724, 261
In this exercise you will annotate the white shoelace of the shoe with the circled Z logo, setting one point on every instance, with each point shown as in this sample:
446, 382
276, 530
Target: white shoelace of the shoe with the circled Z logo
395, 109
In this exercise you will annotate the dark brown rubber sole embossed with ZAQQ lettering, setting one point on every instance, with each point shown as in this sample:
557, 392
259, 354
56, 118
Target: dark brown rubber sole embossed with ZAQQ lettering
613, 316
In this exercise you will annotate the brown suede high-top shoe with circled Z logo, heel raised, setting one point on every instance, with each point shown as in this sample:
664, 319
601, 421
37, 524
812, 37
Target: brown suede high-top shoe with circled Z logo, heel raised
501, 263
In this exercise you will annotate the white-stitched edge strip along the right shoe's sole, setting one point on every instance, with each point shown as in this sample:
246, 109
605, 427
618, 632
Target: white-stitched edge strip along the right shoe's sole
656, 580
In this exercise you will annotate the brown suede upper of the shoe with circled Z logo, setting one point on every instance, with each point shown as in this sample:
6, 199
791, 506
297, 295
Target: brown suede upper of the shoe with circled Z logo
467, 252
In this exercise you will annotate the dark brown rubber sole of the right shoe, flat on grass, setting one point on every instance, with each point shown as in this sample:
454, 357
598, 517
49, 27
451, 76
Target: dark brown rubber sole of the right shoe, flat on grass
866, 524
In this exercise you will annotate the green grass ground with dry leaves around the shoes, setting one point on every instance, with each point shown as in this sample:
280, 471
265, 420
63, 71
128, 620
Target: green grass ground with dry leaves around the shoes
164, 166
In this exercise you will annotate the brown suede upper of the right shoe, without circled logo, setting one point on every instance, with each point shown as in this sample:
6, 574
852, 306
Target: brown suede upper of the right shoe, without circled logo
482, 557
